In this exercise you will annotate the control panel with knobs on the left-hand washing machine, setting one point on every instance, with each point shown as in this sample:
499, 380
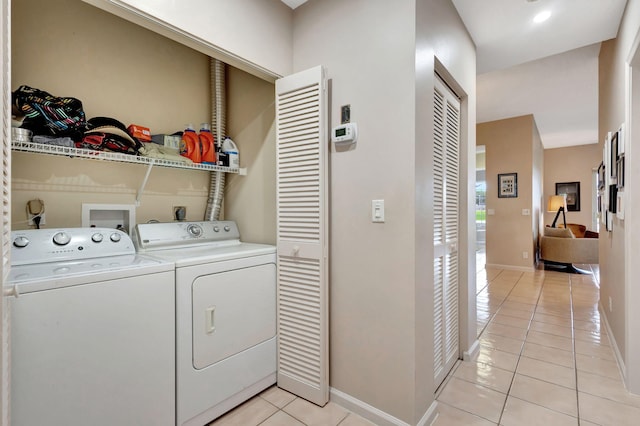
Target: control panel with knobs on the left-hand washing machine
54, 245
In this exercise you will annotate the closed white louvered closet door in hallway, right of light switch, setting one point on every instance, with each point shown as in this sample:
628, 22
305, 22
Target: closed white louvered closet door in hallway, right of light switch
445, 229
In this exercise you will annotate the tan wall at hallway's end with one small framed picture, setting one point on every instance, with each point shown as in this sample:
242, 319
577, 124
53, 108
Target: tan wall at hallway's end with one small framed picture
509, 149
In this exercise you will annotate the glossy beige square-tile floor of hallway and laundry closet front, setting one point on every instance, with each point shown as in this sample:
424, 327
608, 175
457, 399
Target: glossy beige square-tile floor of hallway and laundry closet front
544, 360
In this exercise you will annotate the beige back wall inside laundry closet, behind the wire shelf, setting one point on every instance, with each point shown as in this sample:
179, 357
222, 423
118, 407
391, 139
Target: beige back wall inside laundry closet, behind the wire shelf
136, 76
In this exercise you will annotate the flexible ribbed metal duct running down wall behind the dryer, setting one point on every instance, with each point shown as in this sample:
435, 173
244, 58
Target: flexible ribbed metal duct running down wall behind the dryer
219, 129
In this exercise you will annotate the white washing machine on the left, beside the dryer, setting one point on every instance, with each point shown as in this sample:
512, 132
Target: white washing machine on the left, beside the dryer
92, 330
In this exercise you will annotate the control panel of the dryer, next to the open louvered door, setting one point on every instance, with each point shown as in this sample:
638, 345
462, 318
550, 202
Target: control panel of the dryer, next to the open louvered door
155, 236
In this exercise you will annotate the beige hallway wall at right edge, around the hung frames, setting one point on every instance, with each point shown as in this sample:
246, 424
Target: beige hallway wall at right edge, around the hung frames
618, 249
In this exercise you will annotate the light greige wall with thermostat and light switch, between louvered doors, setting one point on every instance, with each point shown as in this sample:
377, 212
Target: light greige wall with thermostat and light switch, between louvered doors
381, 273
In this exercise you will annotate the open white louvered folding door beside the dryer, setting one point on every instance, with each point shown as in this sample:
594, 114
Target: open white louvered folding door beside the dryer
302, 235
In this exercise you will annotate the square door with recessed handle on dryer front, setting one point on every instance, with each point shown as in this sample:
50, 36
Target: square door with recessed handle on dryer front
232, 311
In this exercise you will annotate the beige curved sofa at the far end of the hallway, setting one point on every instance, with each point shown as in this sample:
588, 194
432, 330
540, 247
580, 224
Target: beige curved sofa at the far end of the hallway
559, 245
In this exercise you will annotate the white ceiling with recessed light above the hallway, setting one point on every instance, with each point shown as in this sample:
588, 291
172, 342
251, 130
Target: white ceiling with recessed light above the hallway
549, 69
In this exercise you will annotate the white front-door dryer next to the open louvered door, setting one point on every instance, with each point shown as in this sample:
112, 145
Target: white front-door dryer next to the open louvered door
225, 314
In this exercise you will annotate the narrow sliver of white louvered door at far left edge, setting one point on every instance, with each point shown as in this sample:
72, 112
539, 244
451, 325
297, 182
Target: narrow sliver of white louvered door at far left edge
5, 160
